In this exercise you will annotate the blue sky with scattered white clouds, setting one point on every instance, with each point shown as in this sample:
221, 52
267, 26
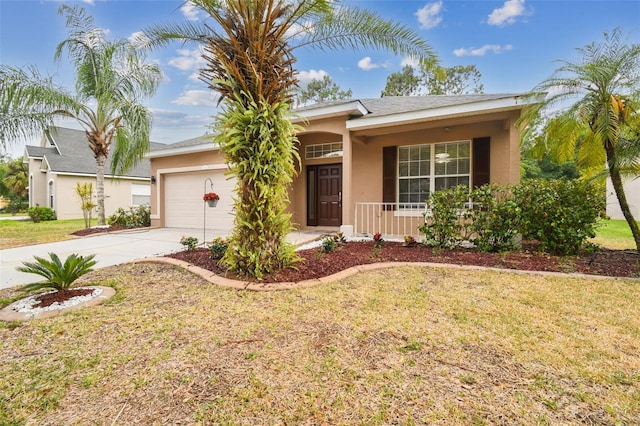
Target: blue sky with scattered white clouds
513, 43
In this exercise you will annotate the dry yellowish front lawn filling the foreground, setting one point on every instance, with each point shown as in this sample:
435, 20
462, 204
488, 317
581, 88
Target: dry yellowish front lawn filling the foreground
400, 346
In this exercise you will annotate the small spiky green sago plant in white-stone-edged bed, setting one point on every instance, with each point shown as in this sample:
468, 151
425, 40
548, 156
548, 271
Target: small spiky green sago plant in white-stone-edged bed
58, 276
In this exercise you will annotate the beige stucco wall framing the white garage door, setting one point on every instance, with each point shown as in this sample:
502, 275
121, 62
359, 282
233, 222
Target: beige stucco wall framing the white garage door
163, 166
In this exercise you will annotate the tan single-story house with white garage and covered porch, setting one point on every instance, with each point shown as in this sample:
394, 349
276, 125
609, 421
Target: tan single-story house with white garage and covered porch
366, 165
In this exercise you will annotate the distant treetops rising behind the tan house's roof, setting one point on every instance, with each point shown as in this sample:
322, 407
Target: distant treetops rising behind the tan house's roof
434, 80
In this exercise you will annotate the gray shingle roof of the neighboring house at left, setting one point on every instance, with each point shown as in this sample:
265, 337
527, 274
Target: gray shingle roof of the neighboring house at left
67, 151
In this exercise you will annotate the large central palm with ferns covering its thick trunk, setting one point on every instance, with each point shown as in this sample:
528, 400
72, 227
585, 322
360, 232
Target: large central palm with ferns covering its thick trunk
250, 63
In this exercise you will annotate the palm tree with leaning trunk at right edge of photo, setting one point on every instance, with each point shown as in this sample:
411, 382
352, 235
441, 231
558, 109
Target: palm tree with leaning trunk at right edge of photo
599, 119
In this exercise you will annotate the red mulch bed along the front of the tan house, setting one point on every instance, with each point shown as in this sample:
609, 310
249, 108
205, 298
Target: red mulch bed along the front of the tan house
618, 263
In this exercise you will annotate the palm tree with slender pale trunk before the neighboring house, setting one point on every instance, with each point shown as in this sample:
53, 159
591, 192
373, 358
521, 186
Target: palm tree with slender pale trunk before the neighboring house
111, 80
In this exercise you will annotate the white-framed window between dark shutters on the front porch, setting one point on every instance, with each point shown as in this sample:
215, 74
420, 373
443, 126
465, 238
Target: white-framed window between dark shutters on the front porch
423, 169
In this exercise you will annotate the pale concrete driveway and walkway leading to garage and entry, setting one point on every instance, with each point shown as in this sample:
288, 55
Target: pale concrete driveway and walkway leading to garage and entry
112, 249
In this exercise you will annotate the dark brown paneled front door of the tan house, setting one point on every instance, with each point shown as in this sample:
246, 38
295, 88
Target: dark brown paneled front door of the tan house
326, 197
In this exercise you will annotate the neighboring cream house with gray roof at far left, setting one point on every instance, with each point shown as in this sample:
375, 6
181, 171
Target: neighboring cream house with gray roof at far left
63, 159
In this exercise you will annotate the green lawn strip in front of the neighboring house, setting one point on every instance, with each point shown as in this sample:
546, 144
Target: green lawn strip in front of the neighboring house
17, 233
